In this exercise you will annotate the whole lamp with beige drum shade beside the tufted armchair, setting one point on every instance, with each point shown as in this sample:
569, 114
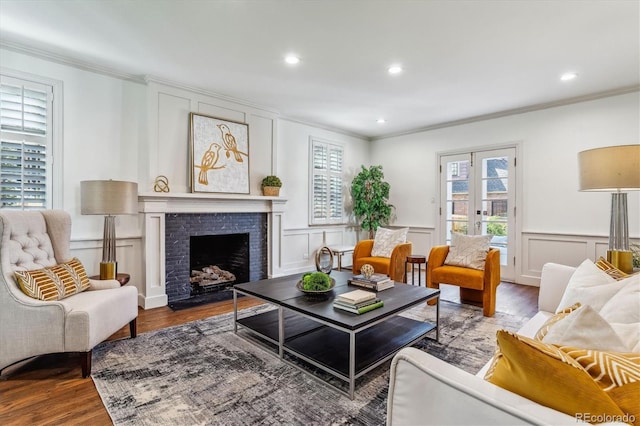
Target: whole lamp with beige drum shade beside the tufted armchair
109, 198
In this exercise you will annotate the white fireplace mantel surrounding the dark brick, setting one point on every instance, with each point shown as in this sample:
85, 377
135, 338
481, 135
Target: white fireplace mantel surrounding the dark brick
154, 206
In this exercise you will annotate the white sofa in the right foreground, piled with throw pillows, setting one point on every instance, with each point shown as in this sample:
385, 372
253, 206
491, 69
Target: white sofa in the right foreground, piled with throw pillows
425, 390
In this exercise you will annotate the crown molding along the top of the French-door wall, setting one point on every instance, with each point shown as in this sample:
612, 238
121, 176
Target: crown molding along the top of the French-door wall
515, 111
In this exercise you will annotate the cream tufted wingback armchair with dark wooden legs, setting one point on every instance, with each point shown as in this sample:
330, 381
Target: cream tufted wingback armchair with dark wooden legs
30, 327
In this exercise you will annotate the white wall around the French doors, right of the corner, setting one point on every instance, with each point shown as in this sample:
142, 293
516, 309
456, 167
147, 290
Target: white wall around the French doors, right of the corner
550, 202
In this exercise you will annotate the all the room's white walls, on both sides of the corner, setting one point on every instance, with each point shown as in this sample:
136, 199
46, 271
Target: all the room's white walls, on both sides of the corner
119, 129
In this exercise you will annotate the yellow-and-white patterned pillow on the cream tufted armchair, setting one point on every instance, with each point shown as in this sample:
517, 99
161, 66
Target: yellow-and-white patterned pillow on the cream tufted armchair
54, 282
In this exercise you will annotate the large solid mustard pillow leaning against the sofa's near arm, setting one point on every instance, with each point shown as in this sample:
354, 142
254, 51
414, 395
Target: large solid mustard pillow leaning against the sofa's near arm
546, 375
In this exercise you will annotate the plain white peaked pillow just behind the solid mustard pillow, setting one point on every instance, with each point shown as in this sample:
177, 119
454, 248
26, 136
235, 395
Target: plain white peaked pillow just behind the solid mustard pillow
585, 328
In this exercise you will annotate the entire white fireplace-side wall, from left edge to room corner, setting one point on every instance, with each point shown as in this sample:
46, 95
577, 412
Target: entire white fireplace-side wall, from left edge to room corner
119, 129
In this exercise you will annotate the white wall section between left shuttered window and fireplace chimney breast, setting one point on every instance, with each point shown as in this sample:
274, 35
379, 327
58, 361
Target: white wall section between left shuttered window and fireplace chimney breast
103, 125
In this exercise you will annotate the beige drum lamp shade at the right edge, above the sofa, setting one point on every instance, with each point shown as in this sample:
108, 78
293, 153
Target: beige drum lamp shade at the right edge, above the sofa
610, 168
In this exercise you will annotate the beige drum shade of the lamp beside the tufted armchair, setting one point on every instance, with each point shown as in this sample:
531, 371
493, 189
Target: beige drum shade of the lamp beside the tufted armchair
108, 197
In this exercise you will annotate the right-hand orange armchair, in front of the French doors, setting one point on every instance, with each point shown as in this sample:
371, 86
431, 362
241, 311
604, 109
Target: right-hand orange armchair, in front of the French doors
475, 285
